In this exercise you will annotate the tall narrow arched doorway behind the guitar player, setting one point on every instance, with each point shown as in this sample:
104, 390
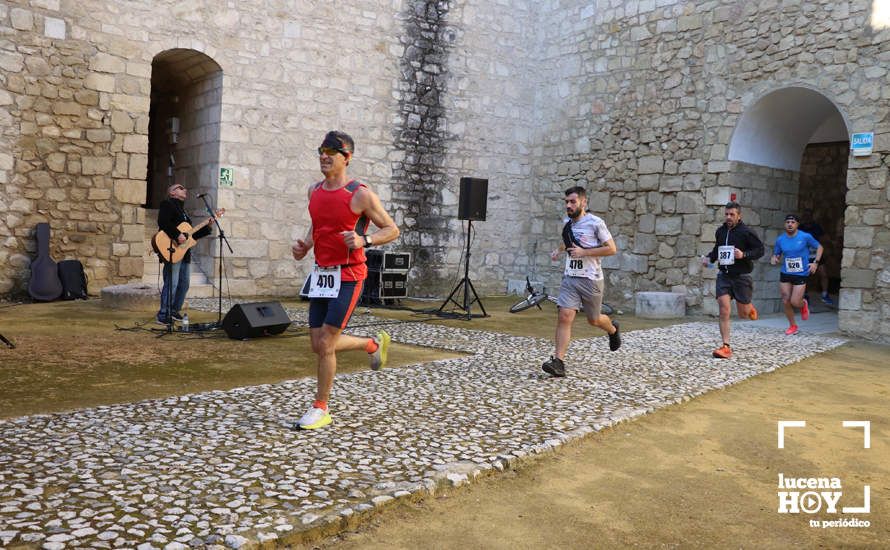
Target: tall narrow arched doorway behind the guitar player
183, 143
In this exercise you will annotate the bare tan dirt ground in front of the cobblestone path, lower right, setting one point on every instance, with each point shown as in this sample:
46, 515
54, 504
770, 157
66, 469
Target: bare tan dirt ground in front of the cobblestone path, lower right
699, 475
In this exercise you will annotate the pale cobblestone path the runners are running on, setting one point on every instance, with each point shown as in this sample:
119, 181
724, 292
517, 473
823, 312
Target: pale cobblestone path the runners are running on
224, 468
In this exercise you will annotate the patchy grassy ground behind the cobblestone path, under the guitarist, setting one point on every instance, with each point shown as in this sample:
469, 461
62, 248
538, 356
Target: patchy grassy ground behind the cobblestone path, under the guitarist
77, 354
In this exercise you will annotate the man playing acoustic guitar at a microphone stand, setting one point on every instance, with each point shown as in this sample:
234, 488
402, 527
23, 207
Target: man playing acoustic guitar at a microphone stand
176, 274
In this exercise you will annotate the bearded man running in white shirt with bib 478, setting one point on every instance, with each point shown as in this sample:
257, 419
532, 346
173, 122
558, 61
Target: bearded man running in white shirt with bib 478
586, 239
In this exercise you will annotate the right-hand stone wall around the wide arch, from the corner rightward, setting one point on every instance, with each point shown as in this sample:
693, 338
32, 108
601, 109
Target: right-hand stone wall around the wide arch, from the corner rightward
640, 102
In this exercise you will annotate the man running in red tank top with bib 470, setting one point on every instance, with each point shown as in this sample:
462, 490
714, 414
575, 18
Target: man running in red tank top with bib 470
340, 209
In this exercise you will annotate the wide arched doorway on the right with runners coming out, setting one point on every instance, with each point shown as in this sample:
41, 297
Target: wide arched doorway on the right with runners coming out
790, 154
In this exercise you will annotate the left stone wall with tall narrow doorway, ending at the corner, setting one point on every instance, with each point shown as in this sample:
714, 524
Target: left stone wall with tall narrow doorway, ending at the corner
421, 121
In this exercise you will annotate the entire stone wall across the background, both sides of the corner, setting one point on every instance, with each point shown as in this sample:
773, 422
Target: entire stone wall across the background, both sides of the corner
637, 101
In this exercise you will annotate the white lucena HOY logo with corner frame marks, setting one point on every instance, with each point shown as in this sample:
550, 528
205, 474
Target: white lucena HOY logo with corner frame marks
811, 501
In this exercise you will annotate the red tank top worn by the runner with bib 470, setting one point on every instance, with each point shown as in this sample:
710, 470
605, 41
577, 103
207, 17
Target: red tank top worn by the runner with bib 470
331, 216
